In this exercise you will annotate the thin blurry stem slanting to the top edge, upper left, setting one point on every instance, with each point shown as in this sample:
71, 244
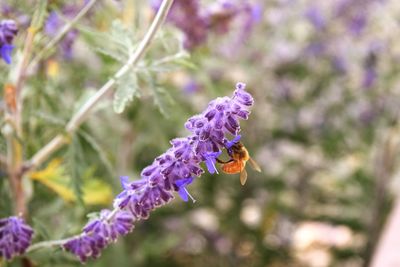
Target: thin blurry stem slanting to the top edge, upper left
67, 27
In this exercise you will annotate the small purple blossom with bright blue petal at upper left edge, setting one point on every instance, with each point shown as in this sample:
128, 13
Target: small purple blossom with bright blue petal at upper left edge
8, 30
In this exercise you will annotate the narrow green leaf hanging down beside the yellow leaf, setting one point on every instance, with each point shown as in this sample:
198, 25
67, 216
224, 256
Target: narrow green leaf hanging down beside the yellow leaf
75, 161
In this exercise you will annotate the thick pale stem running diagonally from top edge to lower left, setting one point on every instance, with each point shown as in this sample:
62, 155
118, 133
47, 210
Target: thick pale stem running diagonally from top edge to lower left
84, 111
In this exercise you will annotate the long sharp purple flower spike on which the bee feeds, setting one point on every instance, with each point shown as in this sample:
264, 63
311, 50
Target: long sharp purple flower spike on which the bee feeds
170, 172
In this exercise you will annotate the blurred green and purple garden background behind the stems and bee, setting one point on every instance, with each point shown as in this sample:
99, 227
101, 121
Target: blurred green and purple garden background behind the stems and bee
324, 127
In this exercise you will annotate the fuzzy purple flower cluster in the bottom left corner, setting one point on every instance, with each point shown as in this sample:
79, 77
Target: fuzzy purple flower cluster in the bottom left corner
15, 237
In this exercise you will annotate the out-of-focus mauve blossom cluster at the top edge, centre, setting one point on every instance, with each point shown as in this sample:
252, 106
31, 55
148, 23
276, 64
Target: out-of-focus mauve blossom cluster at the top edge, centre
196, 22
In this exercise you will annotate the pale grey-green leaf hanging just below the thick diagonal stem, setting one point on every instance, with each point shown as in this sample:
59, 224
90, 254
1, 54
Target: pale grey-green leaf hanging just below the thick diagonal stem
126, 91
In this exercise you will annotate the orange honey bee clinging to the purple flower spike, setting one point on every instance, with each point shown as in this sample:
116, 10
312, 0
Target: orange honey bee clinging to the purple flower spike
237, 163
